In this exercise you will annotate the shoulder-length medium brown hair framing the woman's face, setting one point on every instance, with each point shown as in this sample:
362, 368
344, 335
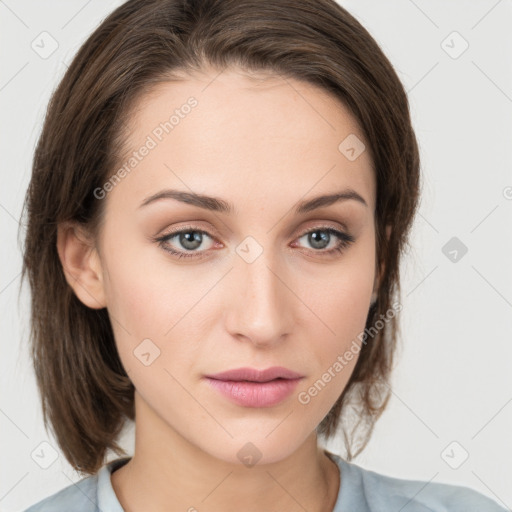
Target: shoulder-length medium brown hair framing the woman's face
85, 392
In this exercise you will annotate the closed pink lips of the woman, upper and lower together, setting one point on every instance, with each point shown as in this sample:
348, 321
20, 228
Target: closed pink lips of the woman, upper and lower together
250, 387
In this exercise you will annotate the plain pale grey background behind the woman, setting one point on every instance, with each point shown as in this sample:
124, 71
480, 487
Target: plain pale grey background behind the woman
453, 382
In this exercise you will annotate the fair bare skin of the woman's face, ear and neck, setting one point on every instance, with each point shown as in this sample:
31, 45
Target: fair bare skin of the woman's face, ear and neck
263, 144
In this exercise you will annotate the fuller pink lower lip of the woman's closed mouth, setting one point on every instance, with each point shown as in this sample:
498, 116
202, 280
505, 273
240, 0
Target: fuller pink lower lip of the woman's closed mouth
255, 394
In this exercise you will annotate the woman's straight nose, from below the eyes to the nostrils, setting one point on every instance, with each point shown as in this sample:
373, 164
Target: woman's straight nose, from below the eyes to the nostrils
262, 304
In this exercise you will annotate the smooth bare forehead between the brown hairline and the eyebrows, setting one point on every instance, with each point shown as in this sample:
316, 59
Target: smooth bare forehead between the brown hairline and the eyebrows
259, 134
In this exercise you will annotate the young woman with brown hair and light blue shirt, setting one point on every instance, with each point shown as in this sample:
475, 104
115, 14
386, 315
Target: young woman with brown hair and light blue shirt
220, 198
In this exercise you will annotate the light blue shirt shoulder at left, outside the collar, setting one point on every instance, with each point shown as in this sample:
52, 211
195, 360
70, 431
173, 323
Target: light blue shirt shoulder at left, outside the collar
79, 497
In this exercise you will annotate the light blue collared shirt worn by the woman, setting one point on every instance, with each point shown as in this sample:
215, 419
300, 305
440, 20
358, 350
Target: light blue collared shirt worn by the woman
361, 490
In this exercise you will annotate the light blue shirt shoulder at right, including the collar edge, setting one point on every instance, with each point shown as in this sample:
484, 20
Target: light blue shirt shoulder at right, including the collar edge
371, 491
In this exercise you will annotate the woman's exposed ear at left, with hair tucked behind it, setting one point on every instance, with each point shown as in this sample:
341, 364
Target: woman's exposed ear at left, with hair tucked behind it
81, 264
